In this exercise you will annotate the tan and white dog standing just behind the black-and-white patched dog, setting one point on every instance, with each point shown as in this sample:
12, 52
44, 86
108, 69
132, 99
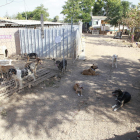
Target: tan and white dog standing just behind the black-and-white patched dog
33, 65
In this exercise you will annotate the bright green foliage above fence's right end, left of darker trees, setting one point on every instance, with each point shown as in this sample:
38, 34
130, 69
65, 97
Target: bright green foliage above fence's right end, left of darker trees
78, 9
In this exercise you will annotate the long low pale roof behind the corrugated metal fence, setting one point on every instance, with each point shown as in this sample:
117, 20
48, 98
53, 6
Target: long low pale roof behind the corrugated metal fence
25, 22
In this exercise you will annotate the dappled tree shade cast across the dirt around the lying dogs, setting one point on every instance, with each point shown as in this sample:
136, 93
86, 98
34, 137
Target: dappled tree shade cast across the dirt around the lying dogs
49, 111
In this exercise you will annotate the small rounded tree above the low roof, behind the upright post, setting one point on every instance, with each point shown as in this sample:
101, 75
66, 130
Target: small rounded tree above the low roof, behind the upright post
40, 10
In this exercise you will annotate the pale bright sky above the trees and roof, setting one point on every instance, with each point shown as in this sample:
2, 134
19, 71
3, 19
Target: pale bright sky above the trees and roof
12, 7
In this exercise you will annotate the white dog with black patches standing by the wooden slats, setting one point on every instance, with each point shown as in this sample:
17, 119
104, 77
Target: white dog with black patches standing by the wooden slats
18, 75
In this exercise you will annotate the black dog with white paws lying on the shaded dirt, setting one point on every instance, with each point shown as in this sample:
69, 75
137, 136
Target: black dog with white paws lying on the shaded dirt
122, 98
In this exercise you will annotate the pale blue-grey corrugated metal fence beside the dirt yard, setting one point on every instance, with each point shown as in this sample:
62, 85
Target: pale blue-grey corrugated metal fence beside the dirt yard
31, 41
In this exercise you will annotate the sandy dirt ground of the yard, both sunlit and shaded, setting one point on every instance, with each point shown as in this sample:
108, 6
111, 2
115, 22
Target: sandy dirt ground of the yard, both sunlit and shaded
52, 110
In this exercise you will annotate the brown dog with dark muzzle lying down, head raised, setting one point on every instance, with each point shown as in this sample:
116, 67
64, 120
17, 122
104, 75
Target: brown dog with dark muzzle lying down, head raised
90, 71
